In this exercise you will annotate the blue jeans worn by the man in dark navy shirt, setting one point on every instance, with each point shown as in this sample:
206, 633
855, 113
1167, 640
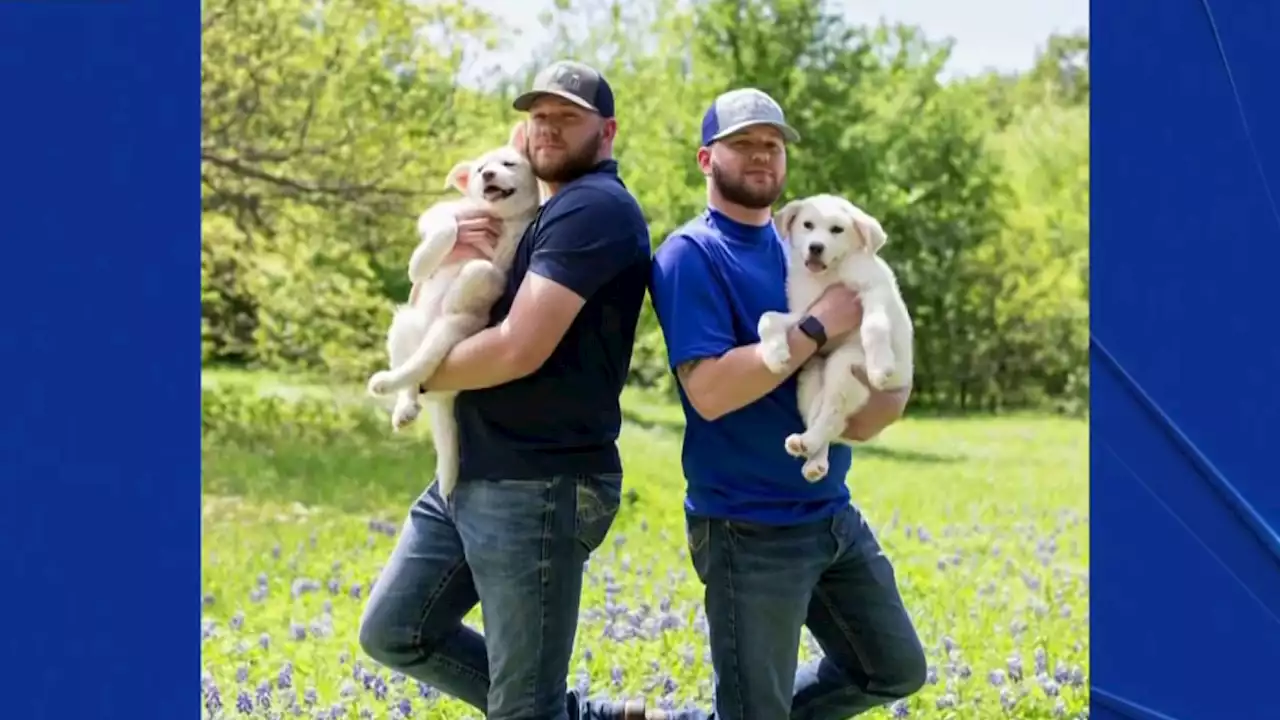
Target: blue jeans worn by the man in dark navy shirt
518, 548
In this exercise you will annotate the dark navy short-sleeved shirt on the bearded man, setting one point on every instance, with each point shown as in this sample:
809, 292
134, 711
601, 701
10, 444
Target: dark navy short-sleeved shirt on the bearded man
565, 418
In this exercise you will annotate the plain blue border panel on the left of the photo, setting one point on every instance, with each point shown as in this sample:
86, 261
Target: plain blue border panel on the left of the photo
100, 441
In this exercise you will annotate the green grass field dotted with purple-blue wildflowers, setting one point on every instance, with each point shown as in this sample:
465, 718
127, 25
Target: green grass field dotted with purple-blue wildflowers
985, 520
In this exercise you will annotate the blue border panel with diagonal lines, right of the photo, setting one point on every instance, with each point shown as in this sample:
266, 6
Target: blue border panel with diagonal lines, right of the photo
1186, 412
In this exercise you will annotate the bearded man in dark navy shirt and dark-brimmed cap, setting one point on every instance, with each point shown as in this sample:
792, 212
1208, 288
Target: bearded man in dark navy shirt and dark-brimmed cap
540, 480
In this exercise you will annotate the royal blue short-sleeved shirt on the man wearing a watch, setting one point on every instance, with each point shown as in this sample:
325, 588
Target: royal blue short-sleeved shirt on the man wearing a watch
712, 280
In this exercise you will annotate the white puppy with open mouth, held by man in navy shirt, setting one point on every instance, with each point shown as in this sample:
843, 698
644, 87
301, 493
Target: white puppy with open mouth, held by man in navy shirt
452, 300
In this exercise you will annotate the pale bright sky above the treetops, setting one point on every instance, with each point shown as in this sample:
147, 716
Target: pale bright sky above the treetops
989, 34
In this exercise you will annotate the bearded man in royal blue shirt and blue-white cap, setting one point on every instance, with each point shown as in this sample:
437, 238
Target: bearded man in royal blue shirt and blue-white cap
774, 552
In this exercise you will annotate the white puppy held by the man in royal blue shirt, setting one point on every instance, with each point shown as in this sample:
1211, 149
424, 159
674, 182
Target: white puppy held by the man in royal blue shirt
834, 241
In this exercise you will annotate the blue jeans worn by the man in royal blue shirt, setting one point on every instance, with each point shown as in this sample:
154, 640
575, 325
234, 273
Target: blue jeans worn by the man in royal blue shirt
764, 584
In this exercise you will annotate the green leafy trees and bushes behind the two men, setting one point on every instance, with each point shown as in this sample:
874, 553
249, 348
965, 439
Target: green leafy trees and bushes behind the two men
330, 127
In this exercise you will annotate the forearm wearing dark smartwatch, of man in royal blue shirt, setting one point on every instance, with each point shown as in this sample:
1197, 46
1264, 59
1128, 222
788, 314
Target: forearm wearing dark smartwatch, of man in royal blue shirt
719, 386
